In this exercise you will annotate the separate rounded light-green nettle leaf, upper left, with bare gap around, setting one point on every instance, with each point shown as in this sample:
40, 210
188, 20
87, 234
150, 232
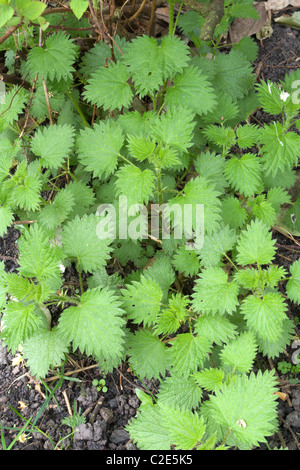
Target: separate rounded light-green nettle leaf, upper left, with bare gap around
53, 144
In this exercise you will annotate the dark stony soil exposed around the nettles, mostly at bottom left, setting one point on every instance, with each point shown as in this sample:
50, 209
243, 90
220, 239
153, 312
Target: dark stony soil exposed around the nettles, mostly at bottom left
107, 414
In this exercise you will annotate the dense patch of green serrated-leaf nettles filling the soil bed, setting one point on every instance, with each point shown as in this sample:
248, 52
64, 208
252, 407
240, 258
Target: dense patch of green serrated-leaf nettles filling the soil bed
195, 319
